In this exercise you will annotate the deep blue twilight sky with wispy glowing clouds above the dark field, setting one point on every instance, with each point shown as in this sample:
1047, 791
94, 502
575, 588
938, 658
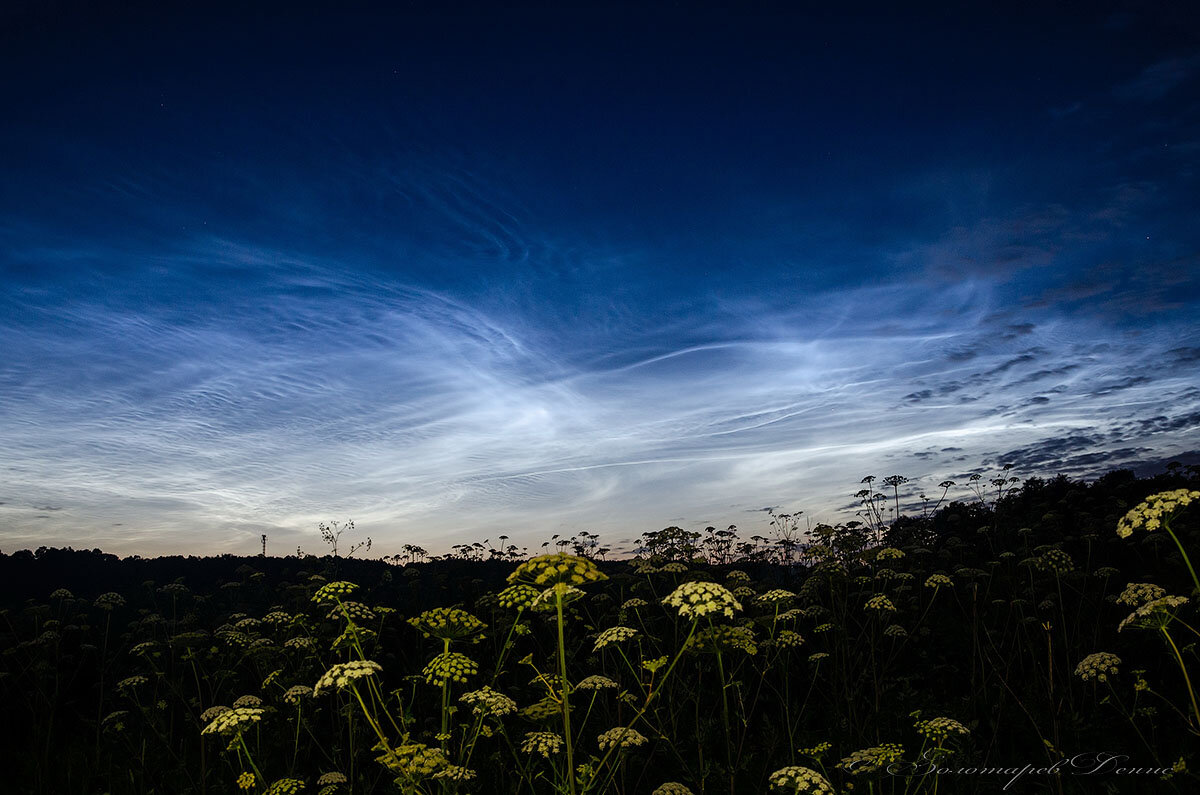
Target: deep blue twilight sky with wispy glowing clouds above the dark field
454, 273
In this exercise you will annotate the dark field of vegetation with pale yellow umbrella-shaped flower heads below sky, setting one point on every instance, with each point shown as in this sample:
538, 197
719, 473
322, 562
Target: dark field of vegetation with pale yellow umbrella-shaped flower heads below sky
1012, 643
